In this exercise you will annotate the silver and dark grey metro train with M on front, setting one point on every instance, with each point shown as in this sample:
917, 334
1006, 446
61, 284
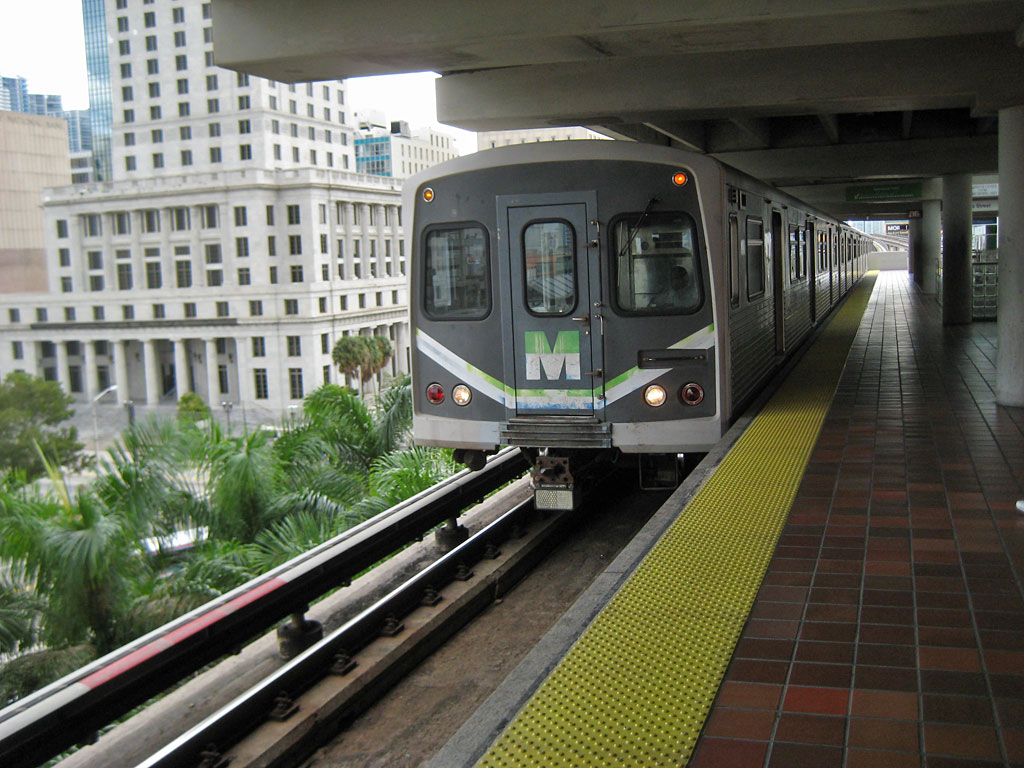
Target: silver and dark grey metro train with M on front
604, 302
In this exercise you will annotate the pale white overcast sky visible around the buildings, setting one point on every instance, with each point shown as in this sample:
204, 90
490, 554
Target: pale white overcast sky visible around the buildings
42, 41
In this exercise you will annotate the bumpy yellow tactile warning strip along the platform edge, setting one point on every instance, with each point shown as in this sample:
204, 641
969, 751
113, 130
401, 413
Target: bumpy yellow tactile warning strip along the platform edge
637, 687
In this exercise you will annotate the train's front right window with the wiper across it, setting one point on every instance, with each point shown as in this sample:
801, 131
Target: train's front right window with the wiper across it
657, 268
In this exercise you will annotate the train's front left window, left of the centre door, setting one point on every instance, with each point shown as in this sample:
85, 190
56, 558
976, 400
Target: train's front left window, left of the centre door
457, 274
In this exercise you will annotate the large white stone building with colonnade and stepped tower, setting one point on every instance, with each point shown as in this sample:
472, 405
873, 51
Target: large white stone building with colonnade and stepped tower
232, 243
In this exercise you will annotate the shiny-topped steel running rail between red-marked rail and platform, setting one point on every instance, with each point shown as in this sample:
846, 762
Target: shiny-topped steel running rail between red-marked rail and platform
246, 713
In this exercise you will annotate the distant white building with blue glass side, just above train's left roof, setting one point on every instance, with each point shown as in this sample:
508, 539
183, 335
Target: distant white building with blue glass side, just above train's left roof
400, 153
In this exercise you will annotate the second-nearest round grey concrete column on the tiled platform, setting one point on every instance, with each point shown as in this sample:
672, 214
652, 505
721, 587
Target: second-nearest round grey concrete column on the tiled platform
957, 285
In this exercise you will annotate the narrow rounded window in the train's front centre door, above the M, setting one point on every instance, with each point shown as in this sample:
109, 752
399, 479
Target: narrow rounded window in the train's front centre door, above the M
549, 268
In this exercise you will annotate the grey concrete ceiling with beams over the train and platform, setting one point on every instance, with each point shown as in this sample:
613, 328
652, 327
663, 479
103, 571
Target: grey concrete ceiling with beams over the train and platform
803, 94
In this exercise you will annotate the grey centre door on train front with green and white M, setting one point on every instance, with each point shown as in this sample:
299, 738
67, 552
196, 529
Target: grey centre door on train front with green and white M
552, 329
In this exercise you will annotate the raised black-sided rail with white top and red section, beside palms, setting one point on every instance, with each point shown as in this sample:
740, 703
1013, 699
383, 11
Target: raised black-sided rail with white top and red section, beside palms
71, 710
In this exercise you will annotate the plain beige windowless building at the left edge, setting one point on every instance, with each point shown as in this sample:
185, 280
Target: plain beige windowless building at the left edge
33, 156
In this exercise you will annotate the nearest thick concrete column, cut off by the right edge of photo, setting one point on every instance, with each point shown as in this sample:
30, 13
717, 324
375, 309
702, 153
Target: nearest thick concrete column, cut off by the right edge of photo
1010, 363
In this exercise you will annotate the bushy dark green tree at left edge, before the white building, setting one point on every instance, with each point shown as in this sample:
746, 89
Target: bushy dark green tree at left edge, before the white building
32, 412
